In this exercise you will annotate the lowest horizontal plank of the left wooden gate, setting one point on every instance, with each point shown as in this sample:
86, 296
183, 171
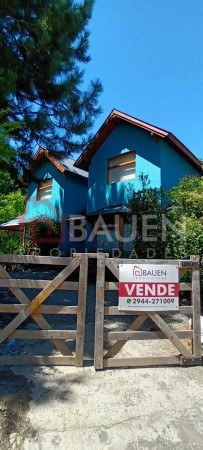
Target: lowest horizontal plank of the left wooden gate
37, 360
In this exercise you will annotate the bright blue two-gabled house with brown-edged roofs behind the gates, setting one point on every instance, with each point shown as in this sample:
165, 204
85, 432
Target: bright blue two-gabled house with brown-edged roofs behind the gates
92, 192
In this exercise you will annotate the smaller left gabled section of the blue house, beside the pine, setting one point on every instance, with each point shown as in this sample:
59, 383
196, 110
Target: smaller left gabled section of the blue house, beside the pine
56, 192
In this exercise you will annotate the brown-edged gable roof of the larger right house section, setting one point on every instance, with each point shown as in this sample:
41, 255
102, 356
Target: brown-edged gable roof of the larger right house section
115, 118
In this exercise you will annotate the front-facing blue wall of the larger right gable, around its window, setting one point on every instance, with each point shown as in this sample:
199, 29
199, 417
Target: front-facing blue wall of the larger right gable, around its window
123, 139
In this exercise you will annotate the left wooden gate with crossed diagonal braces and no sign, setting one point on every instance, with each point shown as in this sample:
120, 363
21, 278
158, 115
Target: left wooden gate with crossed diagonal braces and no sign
36, 308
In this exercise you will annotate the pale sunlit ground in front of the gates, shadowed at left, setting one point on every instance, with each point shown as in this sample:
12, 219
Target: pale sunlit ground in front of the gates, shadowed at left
69, 408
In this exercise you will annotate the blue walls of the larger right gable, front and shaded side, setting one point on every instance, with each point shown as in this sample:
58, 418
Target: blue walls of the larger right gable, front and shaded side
164, 166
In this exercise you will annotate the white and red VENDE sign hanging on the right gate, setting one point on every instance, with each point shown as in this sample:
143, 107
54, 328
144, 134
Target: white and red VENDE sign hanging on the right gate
148, 287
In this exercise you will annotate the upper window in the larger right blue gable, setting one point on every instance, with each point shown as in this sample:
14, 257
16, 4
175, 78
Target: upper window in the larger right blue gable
121, 168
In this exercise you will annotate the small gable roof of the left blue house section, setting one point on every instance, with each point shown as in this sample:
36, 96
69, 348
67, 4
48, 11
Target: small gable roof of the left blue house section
63, 165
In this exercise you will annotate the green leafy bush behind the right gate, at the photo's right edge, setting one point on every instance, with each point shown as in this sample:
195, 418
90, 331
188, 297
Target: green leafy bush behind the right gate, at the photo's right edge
181, 209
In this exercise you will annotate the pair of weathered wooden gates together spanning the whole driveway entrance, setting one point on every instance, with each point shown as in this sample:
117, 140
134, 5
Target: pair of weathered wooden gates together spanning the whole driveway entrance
36, 308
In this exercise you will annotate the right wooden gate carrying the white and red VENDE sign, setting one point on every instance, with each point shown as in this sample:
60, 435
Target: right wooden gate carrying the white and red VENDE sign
185, 356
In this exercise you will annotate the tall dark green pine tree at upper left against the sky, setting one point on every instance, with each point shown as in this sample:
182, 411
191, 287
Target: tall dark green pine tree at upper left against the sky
43, 49
